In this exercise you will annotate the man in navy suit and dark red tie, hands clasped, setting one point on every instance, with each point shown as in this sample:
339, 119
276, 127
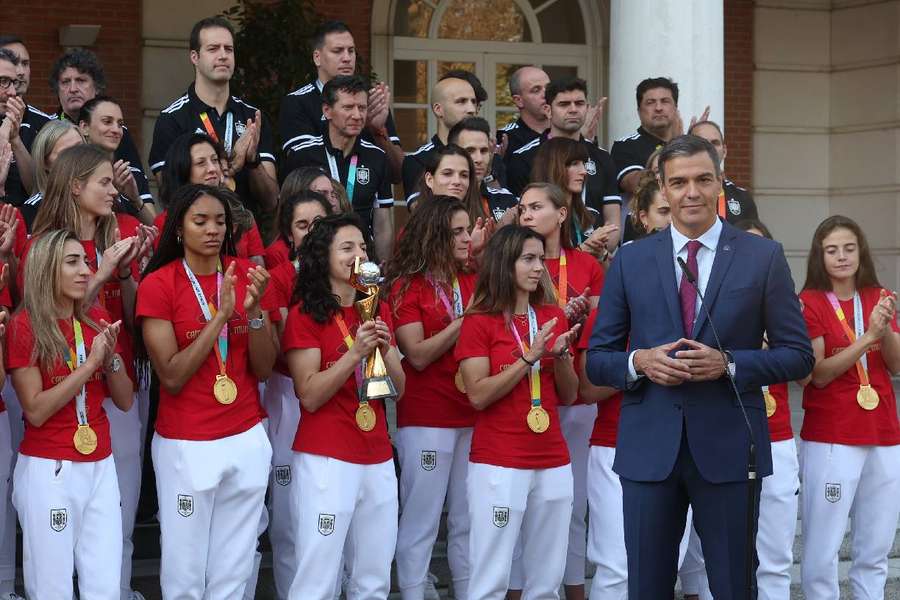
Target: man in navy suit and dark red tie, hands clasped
683, 439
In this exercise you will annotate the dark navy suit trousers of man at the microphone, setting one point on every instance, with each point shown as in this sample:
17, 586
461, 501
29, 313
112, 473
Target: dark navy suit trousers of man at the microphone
654, 515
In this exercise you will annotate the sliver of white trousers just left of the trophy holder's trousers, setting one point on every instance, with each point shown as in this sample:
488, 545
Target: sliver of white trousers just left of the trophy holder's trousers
283, 408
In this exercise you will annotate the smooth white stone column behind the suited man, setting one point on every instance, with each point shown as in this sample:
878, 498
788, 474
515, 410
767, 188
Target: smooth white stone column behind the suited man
681, 39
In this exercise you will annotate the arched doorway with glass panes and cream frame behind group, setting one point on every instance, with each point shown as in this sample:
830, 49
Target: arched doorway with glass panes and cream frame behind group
416, 41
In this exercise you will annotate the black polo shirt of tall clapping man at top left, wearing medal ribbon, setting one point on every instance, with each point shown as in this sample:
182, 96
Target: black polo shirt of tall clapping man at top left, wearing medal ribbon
183, 116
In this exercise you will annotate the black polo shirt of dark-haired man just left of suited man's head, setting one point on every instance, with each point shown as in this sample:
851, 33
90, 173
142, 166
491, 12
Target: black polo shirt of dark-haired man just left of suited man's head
601, 186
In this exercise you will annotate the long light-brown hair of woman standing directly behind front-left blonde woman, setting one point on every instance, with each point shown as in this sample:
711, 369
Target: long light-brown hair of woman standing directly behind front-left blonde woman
59, 210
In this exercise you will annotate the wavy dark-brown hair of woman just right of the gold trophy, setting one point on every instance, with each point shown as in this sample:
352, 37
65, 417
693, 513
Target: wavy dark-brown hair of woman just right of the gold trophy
425, 246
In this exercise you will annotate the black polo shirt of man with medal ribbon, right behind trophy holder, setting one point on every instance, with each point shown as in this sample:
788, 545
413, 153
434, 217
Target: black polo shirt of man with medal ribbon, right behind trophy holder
372, 183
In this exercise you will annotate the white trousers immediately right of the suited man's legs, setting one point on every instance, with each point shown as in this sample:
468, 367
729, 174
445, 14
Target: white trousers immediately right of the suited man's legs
778, 523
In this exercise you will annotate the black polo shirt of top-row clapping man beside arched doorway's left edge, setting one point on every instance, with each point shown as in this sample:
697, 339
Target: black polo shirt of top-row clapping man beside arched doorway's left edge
301, 115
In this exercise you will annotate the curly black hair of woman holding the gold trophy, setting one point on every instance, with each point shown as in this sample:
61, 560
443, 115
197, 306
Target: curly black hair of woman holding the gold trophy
312, 290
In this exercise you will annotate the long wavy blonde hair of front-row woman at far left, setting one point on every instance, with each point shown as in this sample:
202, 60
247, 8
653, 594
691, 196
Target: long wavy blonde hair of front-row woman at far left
42, 274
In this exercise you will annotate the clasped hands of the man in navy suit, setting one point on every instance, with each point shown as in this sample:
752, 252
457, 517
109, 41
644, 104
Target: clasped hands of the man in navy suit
693, 361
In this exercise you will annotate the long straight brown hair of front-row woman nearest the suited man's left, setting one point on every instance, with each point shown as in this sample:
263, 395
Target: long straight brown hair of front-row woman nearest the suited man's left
495, 291
